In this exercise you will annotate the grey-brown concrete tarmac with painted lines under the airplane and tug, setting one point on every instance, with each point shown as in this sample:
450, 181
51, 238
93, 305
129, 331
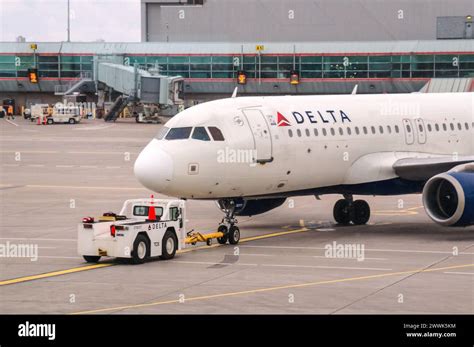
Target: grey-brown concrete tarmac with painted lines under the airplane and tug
289, 260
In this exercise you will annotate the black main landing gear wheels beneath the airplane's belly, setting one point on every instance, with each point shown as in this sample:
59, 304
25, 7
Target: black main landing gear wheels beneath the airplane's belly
346, 211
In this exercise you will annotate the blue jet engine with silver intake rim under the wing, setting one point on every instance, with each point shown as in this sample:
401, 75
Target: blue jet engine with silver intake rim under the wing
448, 198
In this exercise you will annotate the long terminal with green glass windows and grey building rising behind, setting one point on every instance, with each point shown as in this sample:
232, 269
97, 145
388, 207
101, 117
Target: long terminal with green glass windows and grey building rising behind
278, 47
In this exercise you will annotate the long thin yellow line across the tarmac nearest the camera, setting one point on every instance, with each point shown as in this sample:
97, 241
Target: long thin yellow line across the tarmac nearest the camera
268, 289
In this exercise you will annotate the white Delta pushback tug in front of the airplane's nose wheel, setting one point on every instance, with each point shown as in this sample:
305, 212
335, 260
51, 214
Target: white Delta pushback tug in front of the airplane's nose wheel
138, 237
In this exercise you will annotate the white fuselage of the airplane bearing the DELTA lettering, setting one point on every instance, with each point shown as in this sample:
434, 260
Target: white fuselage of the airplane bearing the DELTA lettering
290, 144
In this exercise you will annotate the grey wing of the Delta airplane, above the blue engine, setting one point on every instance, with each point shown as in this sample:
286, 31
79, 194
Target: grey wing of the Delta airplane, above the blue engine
422, 169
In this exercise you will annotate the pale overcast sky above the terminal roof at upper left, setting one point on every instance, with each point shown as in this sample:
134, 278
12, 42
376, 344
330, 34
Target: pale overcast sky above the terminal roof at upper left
46, 20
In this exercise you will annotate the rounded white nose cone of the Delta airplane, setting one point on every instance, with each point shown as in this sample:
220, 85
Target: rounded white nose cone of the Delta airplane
154, 167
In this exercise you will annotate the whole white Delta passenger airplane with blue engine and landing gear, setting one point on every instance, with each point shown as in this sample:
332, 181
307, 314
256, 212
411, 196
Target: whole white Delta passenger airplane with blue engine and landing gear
252, 153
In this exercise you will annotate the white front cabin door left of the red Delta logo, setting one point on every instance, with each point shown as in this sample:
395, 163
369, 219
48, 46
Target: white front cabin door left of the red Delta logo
261, 134
